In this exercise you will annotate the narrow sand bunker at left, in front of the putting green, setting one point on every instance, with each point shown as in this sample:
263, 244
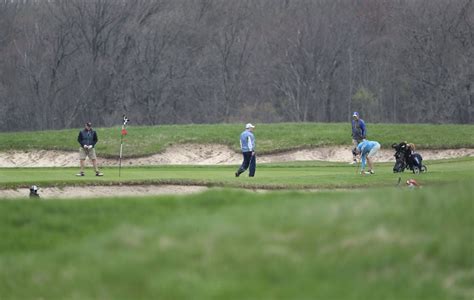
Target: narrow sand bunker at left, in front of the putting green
78, 192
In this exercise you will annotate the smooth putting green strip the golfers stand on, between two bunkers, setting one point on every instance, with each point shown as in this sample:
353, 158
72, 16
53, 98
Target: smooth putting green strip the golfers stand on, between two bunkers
295, 175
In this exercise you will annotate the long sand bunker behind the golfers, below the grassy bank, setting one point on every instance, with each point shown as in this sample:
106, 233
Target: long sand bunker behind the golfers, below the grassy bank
191, 154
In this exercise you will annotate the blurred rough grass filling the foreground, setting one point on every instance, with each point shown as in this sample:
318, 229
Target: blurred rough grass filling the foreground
224, 244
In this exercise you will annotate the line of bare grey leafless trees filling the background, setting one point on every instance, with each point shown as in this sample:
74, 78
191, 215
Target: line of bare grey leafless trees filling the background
208, 61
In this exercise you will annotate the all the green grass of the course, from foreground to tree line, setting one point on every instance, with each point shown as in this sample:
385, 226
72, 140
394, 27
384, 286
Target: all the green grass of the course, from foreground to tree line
374, 242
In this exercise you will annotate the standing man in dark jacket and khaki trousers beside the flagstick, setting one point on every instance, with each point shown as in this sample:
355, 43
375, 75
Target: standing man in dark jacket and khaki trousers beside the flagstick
88, 138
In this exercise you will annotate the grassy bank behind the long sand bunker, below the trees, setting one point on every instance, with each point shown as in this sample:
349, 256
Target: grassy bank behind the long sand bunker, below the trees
270, 137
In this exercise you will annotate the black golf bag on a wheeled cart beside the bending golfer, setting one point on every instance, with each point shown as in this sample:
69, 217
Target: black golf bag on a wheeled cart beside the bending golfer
407, 158
